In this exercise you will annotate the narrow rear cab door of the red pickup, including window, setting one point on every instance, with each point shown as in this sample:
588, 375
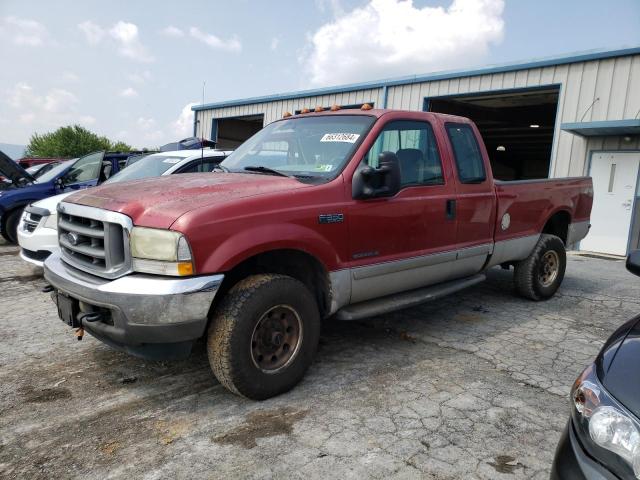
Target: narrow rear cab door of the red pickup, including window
475, 207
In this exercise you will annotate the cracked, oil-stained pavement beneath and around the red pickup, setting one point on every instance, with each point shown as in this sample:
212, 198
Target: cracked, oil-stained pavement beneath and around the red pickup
472, 386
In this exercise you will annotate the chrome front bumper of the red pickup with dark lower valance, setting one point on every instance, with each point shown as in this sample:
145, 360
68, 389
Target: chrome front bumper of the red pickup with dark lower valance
146, 315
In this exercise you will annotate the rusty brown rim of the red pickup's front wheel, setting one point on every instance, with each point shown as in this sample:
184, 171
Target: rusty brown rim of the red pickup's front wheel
276, 339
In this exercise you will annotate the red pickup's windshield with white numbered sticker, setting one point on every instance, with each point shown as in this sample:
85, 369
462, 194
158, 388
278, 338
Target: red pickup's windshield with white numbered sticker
311, 147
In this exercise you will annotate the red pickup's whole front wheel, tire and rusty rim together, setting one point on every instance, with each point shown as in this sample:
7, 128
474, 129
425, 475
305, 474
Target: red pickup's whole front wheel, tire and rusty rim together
263, 336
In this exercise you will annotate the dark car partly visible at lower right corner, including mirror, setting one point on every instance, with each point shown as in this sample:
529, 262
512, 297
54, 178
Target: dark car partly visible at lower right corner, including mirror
602, 437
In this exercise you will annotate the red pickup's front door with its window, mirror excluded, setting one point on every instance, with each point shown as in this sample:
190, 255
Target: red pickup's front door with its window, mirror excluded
405, 241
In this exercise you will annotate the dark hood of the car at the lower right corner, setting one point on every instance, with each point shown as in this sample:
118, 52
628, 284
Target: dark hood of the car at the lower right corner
618, 365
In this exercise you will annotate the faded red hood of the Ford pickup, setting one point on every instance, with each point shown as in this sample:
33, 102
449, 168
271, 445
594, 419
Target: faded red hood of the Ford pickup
159, 202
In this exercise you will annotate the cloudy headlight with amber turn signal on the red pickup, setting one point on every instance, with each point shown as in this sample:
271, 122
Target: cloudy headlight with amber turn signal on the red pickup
160, 252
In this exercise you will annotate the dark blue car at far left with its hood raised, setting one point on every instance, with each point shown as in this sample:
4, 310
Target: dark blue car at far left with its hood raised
18, 188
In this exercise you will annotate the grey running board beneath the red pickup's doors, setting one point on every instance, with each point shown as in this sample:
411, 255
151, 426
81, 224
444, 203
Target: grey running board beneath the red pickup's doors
402, 300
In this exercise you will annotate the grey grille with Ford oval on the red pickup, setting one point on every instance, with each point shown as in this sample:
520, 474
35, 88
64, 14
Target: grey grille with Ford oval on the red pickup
94, 240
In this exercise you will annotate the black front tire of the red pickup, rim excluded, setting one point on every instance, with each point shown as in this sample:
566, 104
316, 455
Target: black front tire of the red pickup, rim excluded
234, 320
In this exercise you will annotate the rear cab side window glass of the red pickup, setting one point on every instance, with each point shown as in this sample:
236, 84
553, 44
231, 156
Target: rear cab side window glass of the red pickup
467, 154
